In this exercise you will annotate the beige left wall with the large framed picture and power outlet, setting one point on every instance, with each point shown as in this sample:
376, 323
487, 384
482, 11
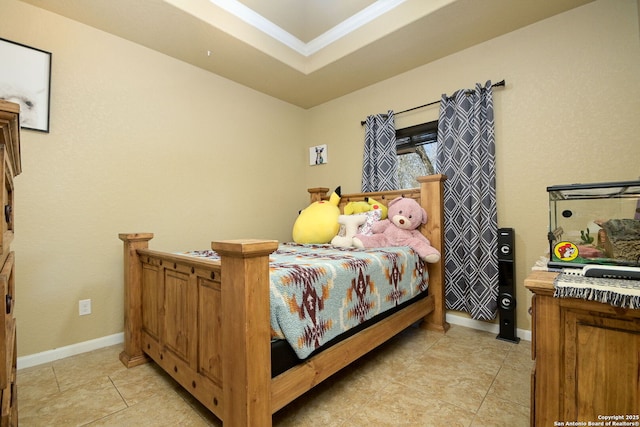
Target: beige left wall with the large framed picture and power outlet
138, 142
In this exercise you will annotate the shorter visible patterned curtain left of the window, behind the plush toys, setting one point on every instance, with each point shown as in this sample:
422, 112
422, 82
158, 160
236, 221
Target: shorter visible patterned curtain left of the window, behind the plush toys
380, 163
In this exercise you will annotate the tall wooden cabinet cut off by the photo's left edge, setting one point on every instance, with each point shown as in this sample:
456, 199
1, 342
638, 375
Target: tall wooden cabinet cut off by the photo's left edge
10, 166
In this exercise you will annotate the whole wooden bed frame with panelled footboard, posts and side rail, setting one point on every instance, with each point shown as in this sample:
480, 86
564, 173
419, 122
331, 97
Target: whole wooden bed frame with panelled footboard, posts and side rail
206, 323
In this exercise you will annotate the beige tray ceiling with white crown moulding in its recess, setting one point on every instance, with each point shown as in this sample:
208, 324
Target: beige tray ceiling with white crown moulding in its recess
307, 52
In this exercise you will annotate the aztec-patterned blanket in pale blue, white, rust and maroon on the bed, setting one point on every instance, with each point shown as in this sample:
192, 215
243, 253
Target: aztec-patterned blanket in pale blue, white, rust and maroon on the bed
320, 291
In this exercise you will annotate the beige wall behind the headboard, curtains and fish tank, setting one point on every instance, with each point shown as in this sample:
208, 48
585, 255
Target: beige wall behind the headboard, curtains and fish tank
569, 113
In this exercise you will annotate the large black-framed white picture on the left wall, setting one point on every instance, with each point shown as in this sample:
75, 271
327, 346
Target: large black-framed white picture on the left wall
25, 78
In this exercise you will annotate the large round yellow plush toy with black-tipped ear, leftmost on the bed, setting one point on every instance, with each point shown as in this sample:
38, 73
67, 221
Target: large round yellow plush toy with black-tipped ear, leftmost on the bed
318, 222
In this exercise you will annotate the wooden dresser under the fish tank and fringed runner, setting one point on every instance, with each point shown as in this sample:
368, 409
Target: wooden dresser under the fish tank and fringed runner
587, 359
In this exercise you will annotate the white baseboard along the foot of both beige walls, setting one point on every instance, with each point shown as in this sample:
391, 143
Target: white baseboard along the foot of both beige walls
86, 346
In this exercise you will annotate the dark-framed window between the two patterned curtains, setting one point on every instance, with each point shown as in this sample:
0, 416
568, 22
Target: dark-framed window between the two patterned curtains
416, 149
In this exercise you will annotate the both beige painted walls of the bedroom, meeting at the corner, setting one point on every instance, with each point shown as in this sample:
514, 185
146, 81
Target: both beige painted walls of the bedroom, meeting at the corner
139, 142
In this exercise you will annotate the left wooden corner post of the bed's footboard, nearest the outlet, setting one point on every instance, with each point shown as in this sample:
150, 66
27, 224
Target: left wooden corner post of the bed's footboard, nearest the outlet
132, 355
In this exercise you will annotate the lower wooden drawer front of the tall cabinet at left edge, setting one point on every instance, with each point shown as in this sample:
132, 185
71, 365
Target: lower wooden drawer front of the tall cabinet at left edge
8, 327
